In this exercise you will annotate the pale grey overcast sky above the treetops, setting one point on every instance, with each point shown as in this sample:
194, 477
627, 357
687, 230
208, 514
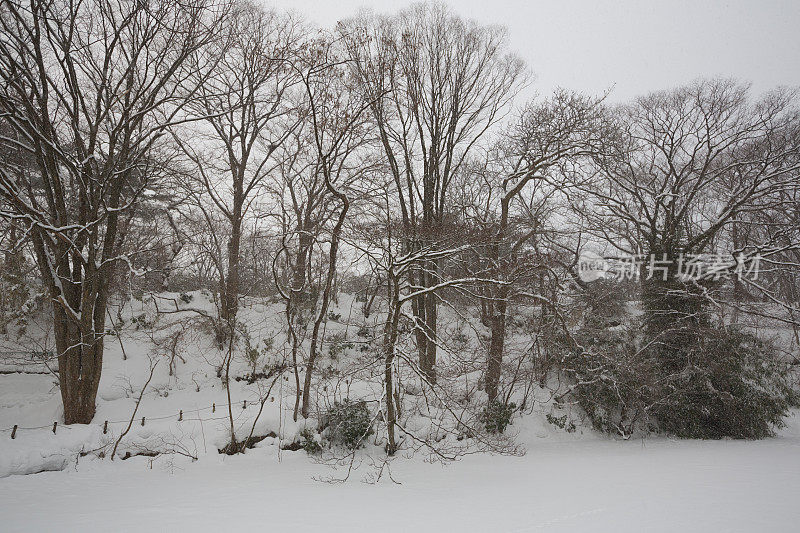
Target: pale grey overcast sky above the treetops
635, 46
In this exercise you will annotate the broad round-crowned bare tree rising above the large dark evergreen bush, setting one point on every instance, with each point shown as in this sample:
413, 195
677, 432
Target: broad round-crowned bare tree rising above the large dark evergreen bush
683, 165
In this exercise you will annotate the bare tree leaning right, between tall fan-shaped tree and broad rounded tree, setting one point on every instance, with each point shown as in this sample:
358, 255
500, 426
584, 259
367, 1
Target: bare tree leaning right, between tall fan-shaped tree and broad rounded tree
520, 185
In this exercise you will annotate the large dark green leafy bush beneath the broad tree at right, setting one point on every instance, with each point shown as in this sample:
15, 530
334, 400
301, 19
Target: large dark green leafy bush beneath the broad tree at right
730, 383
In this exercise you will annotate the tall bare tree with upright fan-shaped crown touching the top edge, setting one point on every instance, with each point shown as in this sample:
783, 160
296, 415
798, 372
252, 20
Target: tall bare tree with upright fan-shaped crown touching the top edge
446, 83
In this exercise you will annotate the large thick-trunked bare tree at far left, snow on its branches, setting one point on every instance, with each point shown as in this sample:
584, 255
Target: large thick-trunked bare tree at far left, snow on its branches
91, 88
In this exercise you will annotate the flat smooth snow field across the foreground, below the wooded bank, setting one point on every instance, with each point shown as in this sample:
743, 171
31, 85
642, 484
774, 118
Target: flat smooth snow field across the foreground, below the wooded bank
654, 485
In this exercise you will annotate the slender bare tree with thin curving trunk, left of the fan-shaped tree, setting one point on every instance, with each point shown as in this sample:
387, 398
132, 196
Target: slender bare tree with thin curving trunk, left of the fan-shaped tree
321, 163
